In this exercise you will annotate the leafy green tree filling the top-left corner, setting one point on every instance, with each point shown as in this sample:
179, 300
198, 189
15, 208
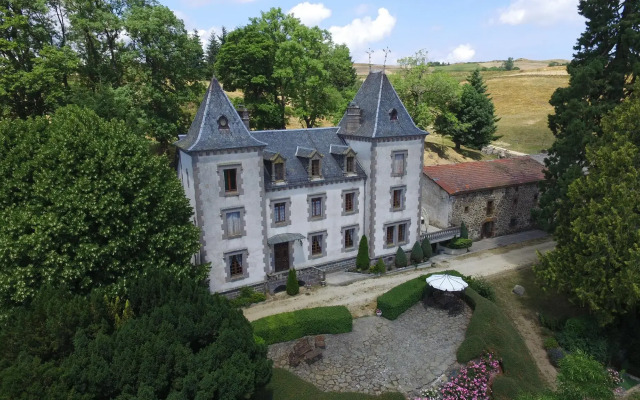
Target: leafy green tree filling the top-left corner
34, 62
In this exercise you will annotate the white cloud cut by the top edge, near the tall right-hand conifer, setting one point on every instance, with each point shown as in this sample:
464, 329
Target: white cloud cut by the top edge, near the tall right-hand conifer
543, 12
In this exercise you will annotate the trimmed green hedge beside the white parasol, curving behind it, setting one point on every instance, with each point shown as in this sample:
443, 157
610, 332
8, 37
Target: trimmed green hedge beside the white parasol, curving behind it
399, 299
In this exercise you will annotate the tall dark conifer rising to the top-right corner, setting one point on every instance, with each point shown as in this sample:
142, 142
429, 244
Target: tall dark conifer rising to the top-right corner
602, 74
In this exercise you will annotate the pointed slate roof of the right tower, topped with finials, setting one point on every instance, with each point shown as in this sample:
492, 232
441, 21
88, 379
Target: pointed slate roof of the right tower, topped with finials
376, 98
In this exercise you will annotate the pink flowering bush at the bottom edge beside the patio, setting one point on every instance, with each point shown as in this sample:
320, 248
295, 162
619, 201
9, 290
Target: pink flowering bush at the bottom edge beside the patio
471, 383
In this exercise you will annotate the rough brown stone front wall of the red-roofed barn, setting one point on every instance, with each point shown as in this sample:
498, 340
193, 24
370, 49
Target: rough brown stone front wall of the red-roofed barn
511, 210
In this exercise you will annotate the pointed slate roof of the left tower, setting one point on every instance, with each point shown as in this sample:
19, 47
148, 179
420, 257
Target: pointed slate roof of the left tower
204, 133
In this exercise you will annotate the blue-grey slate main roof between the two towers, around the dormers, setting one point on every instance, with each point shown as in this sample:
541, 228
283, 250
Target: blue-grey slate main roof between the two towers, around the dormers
288, 142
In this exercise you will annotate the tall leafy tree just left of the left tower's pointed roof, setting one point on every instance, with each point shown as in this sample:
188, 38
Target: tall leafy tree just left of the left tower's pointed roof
165, 65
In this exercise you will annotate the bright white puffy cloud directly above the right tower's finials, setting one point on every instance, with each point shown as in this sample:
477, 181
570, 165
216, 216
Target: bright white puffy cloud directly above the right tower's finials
362, 31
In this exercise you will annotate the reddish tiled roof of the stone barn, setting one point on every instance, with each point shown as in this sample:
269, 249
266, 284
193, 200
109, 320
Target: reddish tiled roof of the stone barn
482, 175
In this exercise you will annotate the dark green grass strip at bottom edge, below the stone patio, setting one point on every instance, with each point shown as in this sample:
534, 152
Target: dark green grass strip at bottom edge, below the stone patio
285, 385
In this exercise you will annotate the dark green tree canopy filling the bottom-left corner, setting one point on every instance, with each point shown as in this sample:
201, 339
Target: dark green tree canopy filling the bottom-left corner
177, 341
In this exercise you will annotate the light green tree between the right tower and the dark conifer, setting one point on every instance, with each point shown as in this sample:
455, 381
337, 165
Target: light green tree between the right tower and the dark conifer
426, 95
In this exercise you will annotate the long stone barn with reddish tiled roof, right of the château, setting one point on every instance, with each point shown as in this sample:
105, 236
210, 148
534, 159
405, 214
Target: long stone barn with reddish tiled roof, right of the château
492, 198
